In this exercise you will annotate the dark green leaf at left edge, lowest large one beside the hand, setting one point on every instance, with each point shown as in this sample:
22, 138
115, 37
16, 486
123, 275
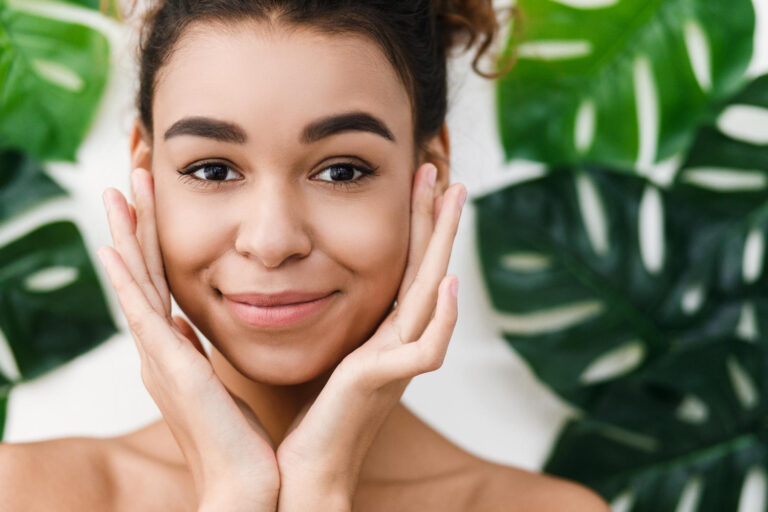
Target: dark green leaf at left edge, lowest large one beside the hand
51, 304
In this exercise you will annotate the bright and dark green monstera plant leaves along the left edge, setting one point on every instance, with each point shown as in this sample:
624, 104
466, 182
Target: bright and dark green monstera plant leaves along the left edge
53, 74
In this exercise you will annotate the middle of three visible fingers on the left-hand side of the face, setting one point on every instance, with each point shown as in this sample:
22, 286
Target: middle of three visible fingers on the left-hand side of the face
126, 244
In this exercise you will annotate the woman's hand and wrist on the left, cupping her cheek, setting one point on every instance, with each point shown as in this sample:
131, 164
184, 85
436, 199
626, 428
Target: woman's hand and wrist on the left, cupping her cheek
230, 455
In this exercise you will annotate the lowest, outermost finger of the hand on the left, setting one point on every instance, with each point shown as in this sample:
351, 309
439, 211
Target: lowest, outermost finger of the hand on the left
145, 323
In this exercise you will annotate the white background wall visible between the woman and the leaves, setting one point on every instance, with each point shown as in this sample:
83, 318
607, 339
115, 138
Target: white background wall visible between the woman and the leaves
484, 398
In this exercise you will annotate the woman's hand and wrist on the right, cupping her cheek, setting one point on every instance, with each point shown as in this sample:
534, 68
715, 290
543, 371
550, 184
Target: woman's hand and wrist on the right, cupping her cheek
321, 456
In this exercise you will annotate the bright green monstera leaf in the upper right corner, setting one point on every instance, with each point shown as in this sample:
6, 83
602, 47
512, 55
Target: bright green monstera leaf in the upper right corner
622, 83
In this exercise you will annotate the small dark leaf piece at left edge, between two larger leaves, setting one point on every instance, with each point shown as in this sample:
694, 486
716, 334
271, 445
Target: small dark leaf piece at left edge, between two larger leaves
23, 184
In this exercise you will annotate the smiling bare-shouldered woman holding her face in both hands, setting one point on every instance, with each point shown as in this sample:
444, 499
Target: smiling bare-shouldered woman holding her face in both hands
291, 190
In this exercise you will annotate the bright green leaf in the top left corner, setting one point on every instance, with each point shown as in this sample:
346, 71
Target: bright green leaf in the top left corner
53, 74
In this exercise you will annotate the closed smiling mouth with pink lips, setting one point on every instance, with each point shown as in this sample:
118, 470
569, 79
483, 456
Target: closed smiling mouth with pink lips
277, 310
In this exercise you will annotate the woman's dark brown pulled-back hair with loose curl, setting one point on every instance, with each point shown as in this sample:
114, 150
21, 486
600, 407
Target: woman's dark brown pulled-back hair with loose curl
417, 37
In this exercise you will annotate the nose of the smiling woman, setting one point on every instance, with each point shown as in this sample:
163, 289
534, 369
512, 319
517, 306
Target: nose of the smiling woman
273, 225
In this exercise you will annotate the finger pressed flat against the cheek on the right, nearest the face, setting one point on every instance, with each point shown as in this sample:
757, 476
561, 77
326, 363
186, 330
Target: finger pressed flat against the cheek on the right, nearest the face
422, 223
